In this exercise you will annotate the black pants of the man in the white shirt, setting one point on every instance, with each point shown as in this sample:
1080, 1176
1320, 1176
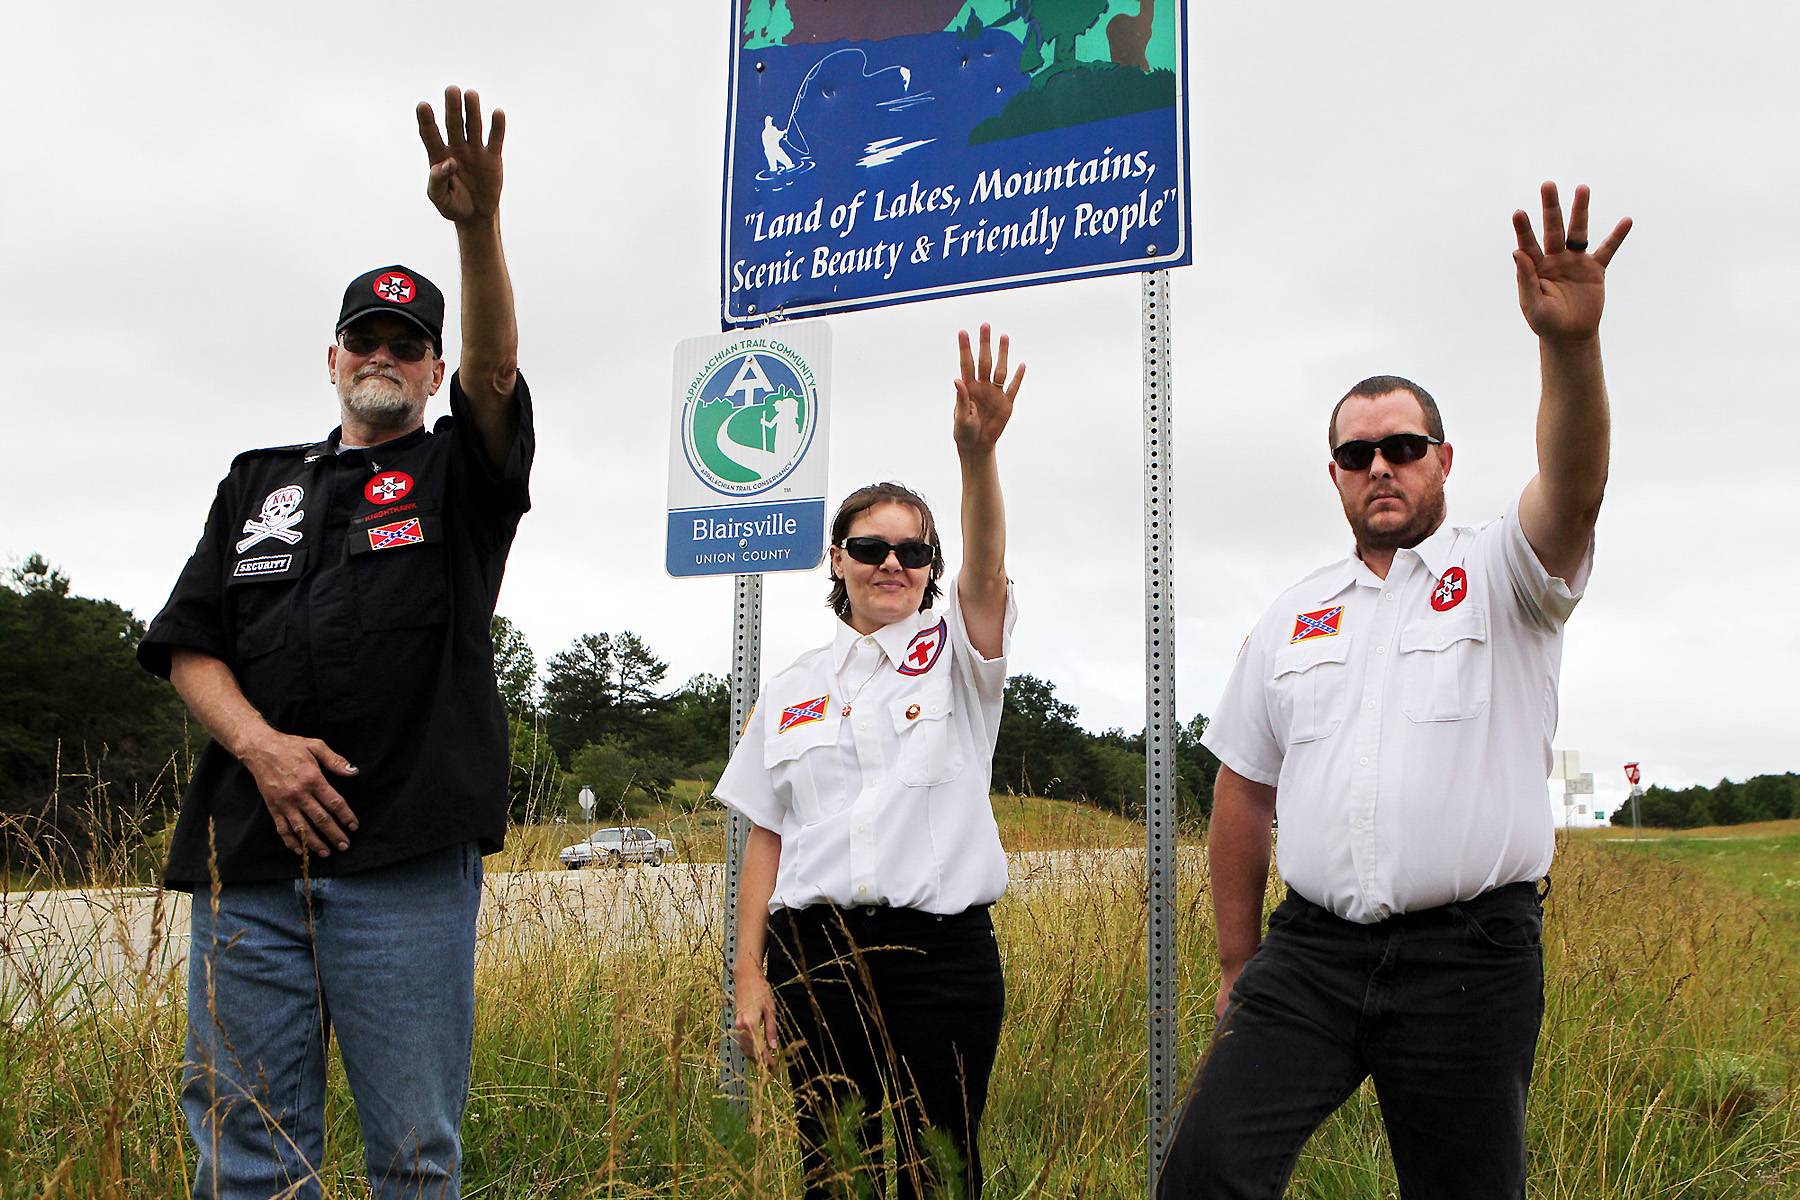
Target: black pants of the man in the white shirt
1441, 1007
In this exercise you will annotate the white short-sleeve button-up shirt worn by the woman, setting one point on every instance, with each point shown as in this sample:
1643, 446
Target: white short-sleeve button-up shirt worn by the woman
872, 758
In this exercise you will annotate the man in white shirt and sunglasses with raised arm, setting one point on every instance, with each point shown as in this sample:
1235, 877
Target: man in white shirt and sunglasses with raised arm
1396, 713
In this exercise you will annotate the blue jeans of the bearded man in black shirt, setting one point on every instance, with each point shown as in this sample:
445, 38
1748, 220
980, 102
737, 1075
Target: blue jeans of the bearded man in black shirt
386, 960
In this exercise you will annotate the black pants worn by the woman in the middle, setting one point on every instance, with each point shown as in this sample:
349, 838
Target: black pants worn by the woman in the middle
895, 1008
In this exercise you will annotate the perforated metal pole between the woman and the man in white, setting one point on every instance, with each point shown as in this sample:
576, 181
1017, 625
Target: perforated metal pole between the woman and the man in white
1160, 721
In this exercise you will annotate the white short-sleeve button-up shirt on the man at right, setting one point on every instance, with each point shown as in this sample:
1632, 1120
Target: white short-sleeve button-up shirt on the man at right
1407, 722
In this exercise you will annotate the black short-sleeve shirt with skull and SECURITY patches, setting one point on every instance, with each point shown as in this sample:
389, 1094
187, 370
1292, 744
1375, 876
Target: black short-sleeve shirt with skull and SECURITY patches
352, 595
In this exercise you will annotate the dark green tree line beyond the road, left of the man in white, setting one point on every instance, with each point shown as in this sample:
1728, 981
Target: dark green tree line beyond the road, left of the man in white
94, 751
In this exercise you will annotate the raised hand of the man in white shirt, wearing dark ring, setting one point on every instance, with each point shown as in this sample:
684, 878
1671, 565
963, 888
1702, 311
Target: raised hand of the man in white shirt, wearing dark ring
1561, 285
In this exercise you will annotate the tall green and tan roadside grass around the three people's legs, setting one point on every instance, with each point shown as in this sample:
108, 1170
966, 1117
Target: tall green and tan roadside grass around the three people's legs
1668, 1064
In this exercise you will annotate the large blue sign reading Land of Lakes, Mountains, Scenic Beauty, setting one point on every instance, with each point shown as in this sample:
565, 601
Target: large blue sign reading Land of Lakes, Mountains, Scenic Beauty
881, 152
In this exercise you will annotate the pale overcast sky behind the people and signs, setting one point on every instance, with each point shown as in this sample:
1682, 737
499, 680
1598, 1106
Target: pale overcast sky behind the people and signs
186, 192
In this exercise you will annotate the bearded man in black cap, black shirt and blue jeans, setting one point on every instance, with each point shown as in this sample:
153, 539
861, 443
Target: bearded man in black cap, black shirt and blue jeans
332, 632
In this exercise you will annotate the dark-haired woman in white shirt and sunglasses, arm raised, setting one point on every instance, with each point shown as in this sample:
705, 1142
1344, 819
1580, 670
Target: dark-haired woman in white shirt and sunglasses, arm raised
874, 854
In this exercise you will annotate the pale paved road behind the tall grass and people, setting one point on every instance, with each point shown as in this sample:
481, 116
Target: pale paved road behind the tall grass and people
100, 951
